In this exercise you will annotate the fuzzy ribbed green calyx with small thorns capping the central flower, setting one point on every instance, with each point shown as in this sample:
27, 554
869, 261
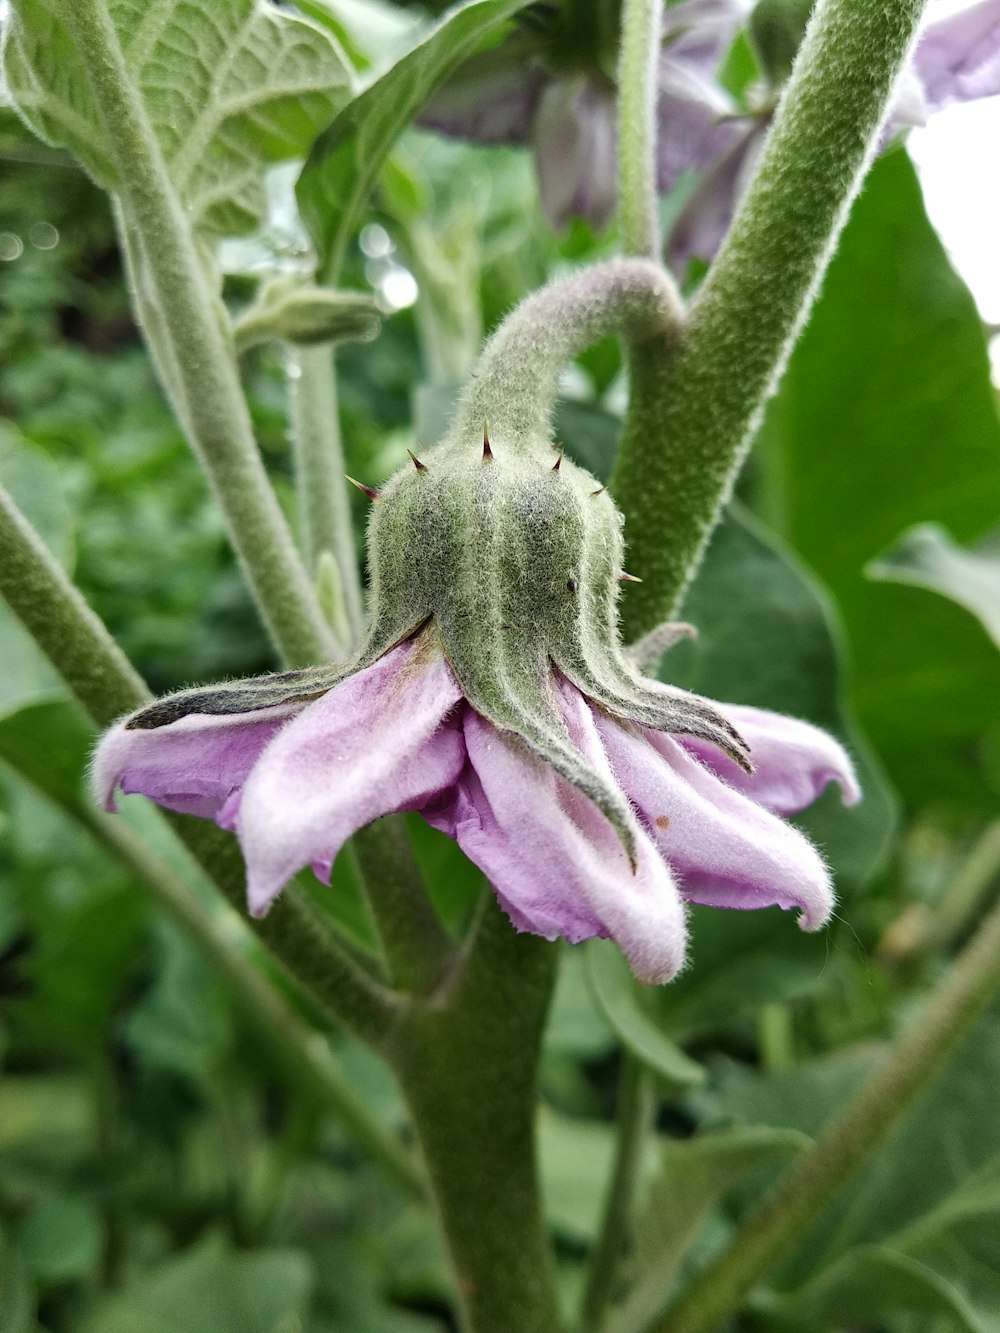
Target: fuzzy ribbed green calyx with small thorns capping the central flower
514, 554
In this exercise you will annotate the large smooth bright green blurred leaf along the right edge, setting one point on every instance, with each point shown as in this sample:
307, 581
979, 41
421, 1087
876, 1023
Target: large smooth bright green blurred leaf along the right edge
886, 419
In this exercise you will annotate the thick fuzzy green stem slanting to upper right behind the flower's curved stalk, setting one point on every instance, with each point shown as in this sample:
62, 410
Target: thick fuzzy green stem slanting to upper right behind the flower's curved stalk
698, 401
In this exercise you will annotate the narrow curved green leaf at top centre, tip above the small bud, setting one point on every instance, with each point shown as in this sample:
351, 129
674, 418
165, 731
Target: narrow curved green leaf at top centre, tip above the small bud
347, 158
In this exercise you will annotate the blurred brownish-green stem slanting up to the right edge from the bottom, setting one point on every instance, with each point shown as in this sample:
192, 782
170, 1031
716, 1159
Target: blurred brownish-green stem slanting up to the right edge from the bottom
766, 1235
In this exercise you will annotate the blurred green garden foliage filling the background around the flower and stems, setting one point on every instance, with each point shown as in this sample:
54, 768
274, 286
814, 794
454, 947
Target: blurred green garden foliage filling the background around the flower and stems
159, 1167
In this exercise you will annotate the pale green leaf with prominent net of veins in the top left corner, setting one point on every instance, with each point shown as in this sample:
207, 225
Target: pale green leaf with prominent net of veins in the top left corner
229, 89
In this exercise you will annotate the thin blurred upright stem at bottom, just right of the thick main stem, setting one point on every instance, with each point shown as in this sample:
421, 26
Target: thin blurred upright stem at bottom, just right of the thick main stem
637, 1107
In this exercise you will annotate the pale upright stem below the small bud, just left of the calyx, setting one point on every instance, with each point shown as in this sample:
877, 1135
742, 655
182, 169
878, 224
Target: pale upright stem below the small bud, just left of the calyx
319, 475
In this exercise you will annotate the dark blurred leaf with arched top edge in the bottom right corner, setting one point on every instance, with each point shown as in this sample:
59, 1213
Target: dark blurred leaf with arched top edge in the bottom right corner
871, 1286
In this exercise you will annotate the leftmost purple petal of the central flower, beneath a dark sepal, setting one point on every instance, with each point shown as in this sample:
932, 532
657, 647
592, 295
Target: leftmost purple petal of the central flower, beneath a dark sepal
191, 766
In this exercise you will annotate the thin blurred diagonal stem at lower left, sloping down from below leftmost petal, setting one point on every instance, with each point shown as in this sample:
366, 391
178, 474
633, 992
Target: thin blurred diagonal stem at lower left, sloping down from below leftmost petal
305, 1055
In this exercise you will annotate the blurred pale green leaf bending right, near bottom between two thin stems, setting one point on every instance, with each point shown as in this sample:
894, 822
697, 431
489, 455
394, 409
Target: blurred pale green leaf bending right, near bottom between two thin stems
694, 1178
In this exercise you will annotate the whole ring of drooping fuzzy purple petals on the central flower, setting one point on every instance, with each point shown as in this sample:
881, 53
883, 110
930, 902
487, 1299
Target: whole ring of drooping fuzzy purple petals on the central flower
297, 763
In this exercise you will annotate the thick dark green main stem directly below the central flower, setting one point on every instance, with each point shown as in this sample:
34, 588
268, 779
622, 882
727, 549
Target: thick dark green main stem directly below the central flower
467, 1064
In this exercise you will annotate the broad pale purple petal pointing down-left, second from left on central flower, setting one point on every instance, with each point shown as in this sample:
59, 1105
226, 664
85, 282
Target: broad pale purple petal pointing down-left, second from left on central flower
375, 744
